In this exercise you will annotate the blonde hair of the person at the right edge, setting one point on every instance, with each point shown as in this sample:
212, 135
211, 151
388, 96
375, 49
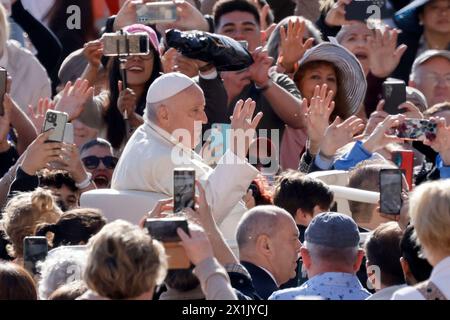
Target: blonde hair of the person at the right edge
429, 208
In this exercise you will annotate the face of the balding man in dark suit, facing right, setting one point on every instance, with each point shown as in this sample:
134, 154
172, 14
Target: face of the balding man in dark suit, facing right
287, 249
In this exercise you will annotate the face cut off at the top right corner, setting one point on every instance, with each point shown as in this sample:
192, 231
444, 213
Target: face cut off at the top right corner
436, 16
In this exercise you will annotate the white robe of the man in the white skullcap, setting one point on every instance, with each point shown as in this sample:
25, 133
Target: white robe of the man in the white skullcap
147, 164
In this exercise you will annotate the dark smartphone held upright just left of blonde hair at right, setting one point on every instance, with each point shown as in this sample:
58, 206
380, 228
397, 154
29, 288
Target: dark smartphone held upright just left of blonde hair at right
390, 191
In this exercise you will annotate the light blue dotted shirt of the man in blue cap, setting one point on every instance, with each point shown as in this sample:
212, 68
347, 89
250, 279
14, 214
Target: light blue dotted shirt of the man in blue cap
328, 286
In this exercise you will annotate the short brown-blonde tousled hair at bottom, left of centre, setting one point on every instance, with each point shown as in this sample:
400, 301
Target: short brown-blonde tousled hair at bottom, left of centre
124, 262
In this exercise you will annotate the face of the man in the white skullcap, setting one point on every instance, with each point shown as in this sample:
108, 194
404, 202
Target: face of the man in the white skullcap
186, 112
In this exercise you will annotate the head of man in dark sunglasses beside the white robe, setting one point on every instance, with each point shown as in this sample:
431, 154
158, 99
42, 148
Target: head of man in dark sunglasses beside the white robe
97, 157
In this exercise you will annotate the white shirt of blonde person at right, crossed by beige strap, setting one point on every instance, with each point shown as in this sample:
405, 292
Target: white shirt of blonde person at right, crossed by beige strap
440, 276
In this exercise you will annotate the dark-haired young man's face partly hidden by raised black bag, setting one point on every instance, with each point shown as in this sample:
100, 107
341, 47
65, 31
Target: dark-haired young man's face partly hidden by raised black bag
241, 26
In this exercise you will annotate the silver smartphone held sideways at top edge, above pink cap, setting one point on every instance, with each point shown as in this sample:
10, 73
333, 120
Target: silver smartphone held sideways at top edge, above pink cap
156, 12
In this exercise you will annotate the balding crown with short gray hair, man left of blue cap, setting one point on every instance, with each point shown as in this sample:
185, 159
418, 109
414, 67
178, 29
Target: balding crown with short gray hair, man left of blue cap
258, 221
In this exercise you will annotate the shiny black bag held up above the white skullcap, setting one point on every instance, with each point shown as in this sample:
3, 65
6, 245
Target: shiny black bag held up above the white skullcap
224, 53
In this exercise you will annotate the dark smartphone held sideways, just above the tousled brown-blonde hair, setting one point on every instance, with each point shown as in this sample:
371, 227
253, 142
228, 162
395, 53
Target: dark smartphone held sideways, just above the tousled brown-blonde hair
165, 229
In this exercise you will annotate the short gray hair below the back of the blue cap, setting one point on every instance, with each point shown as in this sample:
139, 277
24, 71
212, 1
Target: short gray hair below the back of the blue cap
319, 253
